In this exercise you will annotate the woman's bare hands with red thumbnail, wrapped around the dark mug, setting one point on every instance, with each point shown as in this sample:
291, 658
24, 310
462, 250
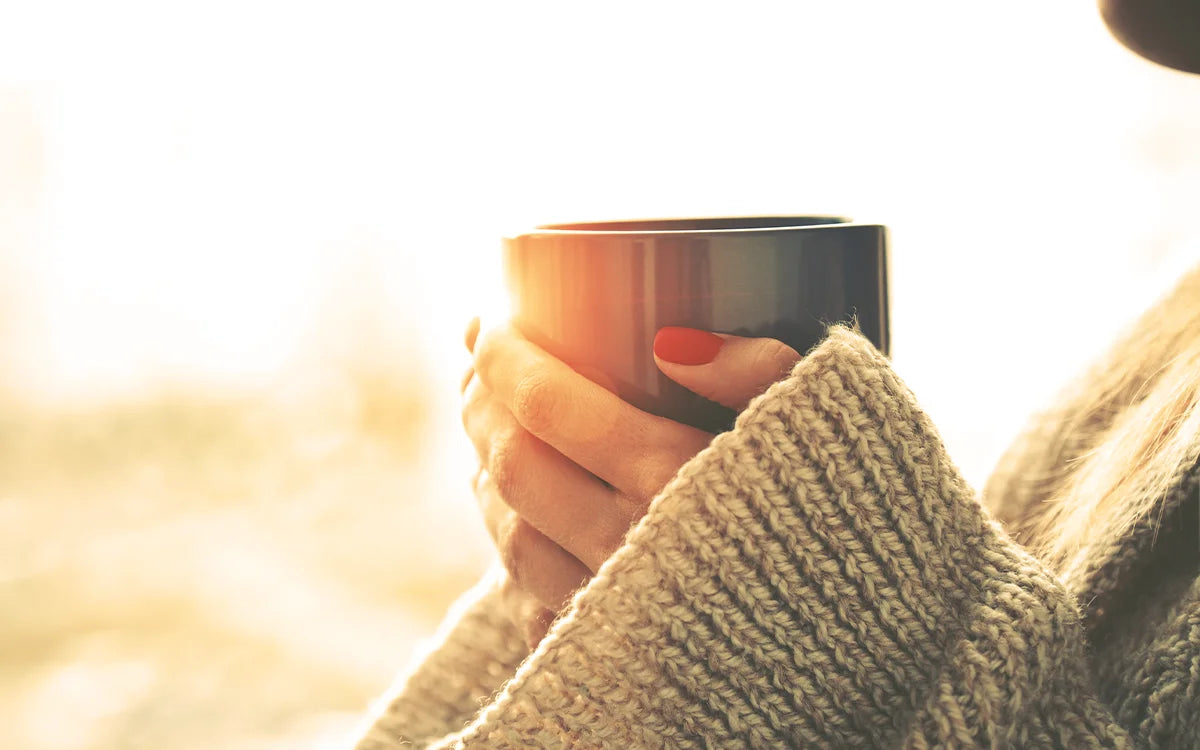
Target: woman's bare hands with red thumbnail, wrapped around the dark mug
567, 467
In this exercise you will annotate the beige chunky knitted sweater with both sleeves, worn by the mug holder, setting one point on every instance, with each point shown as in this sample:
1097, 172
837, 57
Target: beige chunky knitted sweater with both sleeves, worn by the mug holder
823, 577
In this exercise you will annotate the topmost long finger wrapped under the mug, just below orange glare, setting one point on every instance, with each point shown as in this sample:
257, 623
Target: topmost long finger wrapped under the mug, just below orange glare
635, 452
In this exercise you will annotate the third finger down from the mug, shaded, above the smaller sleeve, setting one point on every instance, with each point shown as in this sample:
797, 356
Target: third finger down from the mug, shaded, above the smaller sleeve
536, 563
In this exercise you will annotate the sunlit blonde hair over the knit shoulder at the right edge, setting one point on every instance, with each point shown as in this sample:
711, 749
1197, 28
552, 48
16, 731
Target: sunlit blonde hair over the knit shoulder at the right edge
1118, 443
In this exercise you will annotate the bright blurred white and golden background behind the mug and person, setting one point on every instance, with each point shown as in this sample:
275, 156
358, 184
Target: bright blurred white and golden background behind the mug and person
239, 243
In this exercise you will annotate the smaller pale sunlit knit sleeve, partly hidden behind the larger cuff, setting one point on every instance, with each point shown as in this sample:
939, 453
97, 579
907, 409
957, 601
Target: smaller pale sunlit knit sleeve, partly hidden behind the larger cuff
473, 653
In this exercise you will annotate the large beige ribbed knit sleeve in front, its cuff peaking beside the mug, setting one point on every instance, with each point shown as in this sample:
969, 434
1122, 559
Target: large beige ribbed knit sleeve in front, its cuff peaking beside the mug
820, 577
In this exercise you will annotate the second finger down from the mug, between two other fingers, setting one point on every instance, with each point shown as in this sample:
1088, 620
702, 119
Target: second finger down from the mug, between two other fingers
556, 496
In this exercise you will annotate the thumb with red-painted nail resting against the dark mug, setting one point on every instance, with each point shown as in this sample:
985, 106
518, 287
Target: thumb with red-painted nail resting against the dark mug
729, 370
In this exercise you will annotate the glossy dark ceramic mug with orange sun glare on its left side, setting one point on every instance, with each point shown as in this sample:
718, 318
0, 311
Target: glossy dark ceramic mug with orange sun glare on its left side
596, 295
